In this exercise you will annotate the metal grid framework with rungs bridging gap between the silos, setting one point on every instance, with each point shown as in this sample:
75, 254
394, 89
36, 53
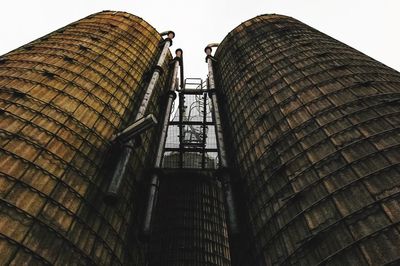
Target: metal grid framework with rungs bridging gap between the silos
191, 141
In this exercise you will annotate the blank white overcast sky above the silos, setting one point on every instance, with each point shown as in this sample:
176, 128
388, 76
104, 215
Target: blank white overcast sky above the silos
369, 26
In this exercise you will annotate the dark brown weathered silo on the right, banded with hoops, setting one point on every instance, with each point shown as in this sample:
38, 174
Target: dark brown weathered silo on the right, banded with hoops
314, 134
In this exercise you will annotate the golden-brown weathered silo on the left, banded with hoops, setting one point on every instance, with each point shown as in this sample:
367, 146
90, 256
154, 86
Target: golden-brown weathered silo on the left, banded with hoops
62, 97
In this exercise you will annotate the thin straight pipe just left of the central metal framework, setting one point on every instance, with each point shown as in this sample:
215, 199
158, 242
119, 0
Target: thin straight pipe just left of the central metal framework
155, 181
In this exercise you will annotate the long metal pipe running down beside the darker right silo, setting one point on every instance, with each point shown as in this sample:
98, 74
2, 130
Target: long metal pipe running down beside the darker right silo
223, 173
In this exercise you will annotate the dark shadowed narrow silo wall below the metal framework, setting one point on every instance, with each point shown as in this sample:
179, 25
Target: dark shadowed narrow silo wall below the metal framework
190, 227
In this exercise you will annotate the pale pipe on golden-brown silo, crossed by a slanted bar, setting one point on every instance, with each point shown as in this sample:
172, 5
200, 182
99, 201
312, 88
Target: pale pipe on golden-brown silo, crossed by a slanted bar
127, 147
